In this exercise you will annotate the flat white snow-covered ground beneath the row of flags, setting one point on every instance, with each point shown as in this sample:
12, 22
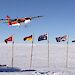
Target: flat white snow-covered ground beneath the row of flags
22, 56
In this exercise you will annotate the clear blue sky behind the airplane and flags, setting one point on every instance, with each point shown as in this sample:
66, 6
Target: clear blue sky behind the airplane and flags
58, 19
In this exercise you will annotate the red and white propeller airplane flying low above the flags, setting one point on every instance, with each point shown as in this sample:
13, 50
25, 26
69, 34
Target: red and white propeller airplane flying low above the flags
18, 21
